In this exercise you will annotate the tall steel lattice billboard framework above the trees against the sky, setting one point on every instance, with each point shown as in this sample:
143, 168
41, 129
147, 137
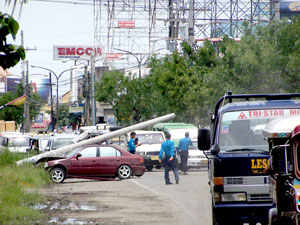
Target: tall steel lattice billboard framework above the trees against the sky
130, 31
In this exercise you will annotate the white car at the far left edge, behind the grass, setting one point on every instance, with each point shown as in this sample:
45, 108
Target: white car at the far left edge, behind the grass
14, 141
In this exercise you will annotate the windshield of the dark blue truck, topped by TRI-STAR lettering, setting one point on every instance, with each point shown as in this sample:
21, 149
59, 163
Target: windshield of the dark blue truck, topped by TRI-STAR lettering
243, 130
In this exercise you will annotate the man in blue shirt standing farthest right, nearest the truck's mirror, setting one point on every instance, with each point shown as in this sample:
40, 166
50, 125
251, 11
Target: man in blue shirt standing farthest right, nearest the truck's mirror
183, 149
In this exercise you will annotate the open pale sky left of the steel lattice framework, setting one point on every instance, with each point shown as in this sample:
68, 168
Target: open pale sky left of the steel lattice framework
48, 24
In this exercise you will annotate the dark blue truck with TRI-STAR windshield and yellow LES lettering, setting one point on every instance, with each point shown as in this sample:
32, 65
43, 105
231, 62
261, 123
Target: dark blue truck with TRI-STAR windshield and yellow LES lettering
238, 155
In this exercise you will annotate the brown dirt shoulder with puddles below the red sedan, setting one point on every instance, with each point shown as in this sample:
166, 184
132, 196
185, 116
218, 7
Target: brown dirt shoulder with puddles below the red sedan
105, 202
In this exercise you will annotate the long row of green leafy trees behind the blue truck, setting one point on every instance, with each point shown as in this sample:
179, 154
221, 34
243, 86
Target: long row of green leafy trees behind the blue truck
189, 83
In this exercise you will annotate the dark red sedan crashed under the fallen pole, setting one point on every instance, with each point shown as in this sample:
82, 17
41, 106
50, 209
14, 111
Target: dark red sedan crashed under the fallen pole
95, 161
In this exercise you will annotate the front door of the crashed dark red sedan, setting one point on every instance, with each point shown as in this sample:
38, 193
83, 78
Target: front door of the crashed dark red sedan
87, 164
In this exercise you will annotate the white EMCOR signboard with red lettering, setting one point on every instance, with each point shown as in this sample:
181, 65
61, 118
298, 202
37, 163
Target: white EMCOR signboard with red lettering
75, 52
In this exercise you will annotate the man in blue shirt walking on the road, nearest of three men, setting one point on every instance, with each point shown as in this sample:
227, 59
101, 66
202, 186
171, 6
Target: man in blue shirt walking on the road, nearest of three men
167, 148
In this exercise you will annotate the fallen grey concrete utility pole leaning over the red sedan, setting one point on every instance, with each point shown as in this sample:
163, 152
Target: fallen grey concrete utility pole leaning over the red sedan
96, 140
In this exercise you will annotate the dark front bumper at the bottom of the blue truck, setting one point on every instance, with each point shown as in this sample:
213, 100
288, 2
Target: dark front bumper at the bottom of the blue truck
242, 213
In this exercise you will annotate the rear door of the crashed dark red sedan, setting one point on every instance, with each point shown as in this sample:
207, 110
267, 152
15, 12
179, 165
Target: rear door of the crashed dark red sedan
109, 161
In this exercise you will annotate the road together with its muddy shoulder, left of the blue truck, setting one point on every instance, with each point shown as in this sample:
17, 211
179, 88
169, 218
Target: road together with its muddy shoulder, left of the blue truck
144, 200
